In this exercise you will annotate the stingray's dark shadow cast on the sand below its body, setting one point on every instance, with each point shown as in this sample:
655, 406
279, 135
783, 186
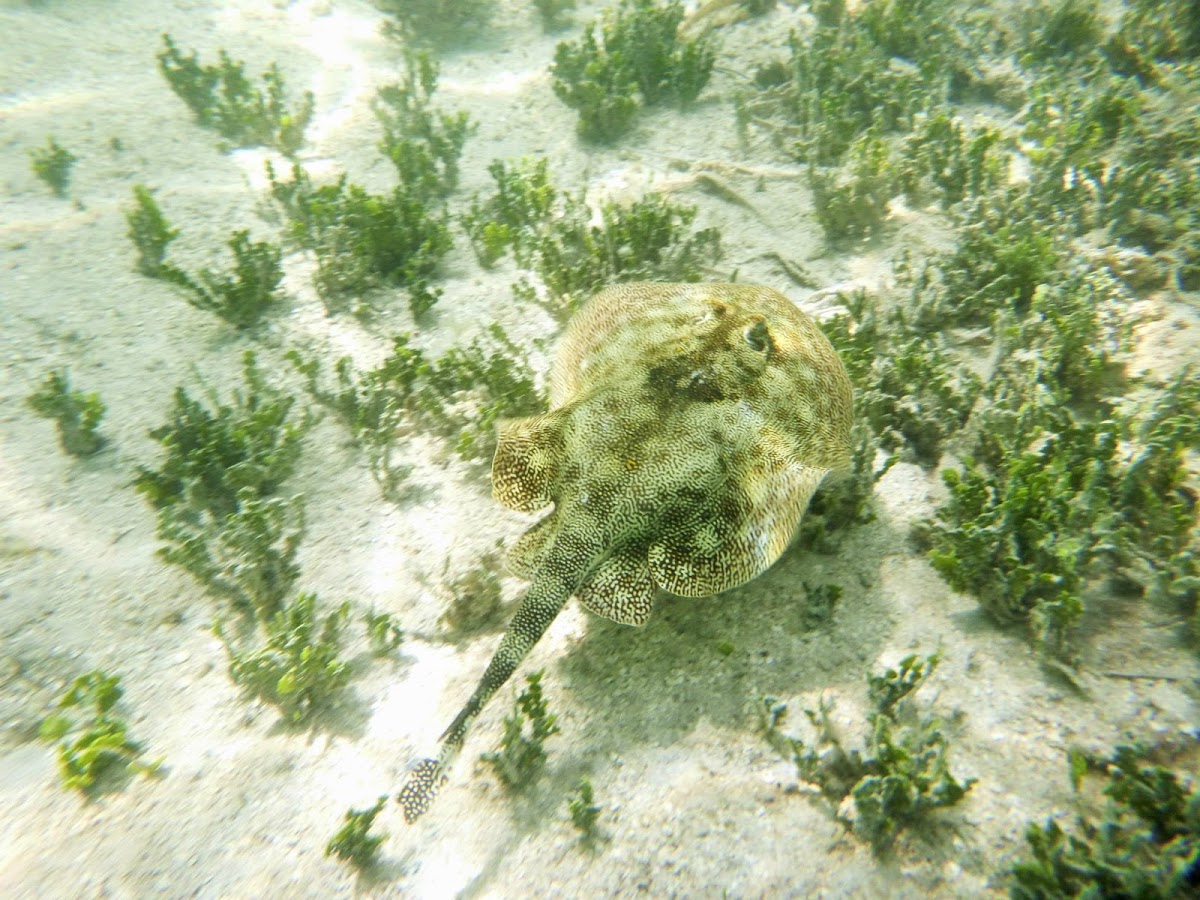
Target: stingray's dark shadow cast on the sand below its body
652, 686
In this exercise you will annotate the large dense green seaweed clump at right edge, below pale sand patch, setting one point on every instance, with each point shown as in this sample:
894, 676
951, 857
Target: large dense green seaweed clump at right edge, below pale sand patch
1058, 501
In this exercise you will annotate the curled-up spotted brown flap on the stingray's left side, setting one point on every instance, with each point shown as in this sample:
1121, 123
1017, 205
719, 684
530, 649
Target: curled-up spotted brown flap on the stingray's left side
529, 454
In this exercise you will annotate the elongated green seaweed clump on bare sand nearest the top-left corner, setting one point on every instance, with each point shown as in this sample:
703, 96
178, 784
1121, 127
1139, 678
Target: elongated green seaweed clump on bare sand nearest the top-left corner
224, 99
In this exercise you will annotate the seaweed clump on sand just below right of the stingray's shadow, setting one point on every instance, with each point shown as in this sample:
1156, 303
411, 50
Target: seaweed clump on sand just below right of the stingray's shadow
899, 777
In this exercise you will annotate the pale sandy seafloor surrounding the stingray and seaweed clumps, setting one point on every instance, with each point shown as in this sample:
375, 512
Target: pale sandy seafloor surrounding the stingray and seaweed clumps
695, 803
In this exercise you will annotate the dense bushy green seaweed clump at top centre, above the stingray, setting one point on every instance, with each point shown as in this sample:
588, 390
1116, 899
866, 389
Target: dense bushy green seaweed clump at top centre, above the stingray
639, 55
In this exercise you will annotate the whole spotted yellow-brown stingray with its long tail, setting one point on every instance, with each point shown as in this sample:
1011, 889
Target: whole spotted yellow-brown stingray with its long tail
689, 428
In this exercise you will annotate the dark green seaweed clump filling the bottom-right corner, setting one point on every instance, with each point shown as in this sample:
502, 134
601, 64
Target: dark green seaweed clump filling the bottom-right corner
1145, 843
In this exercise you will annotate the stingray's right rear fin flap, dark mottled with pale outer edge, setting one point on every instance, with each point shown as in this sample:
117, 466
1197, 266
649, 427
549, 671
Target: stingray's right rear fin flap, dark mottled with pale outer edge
736, 538
